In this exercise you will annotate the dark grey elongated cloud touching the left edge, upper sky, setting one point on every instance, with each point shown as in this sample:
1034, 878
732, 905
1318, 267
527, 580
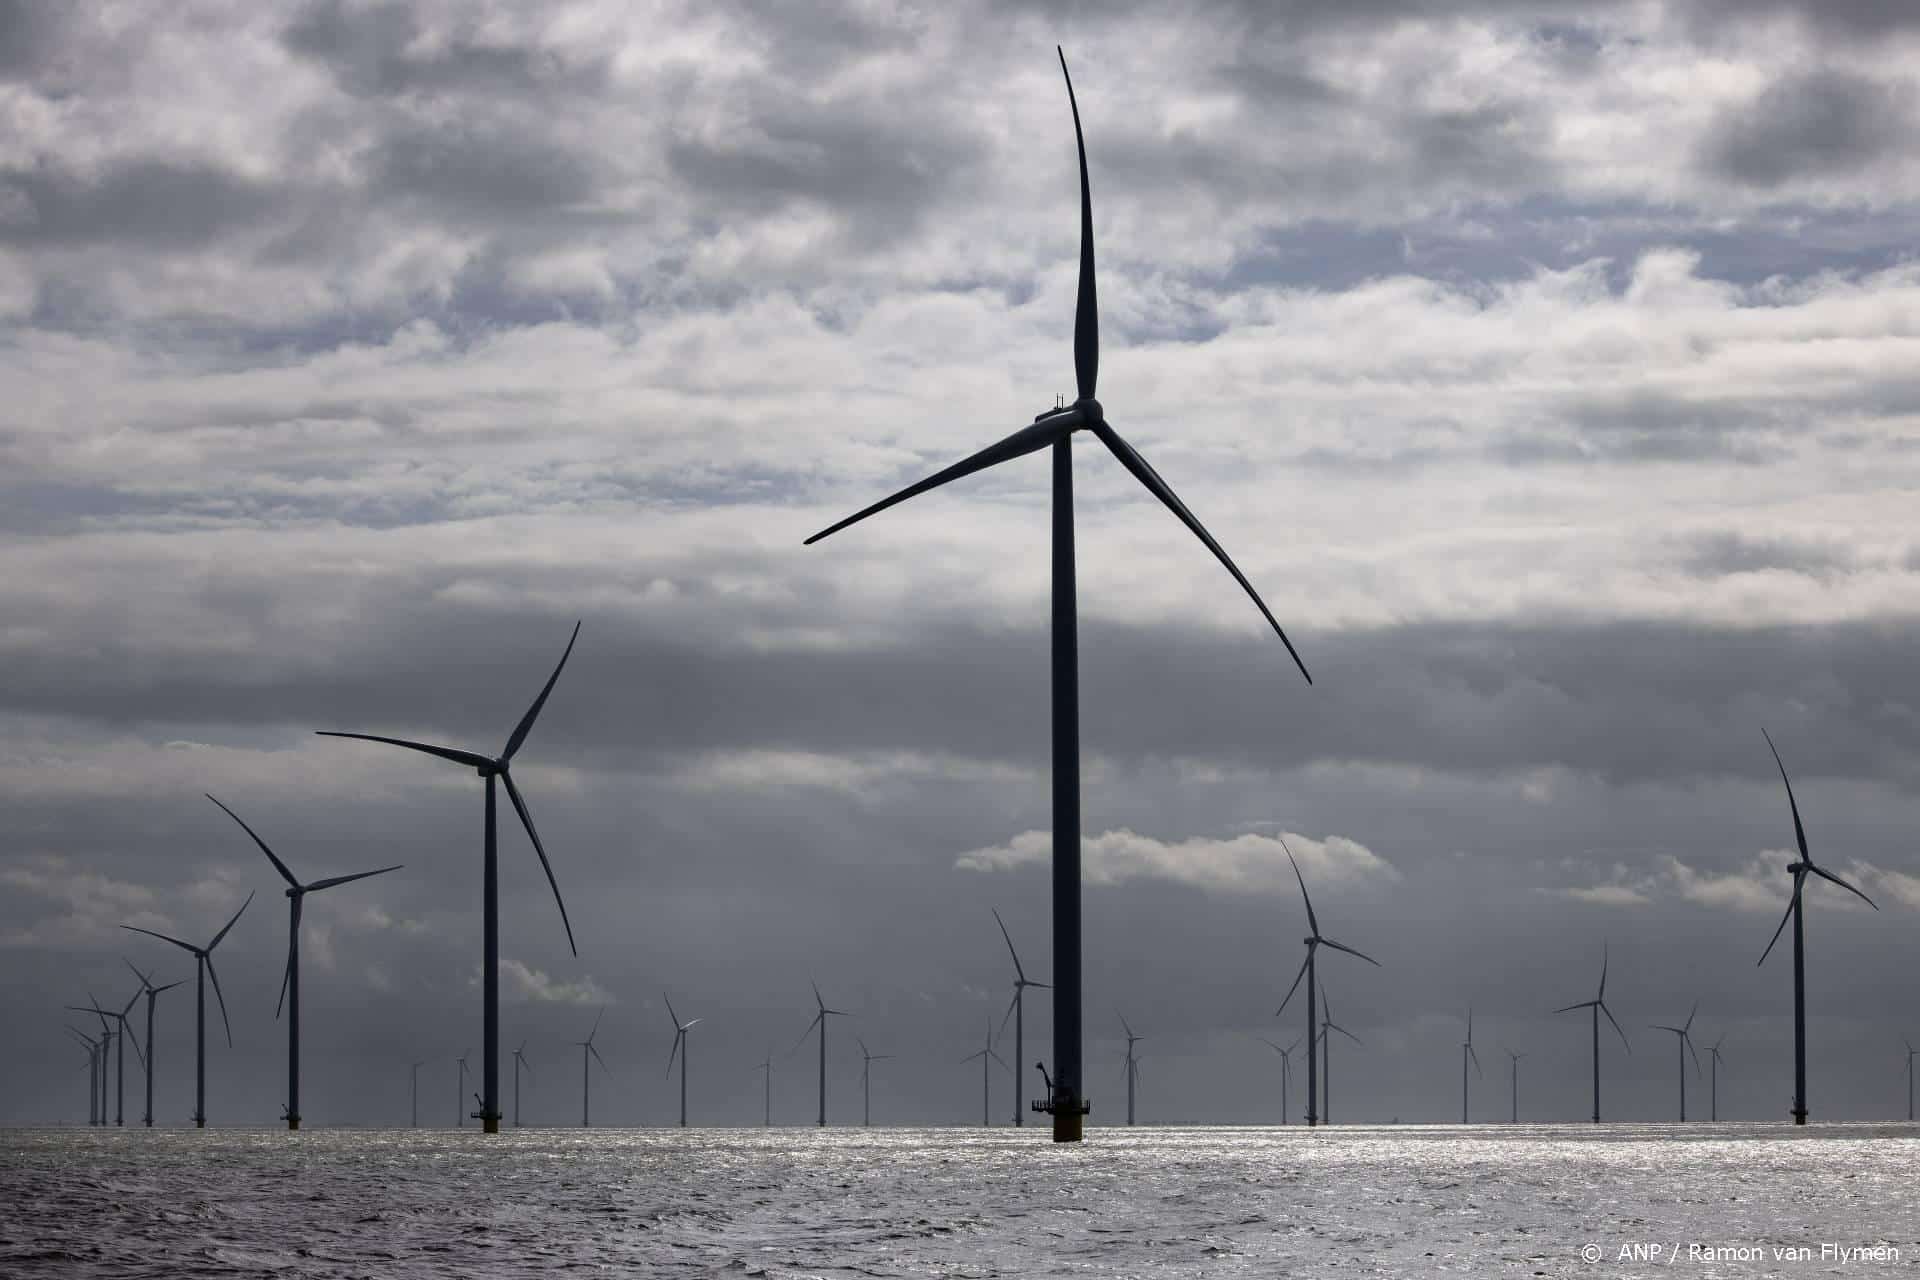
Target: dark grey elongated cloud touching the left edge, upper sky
160, 204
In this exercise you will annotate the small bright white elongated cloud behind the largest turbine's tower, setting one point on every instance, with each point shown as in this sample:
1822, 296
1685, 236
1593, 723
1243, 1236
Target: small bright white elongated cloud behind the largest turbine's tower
1239, 865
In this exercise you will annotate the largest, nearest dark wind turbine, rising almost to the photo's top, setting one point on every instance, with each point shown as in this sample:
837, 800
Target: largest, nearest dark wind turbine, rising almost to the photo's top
1053, 429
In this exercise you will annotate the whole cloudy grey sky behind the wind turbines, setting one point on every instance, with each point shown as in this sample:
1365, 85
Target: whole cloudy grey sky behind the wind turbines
1547, 367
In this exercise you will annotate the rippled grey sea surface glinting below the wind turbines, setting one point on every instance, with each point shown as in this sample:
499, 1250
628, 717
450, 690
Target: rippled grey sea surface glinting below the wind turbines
1399, 1200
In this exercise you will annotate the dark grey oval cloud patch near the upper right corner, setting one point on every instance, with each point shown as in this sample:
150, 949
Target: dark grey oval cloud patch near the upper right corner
1815, 126
